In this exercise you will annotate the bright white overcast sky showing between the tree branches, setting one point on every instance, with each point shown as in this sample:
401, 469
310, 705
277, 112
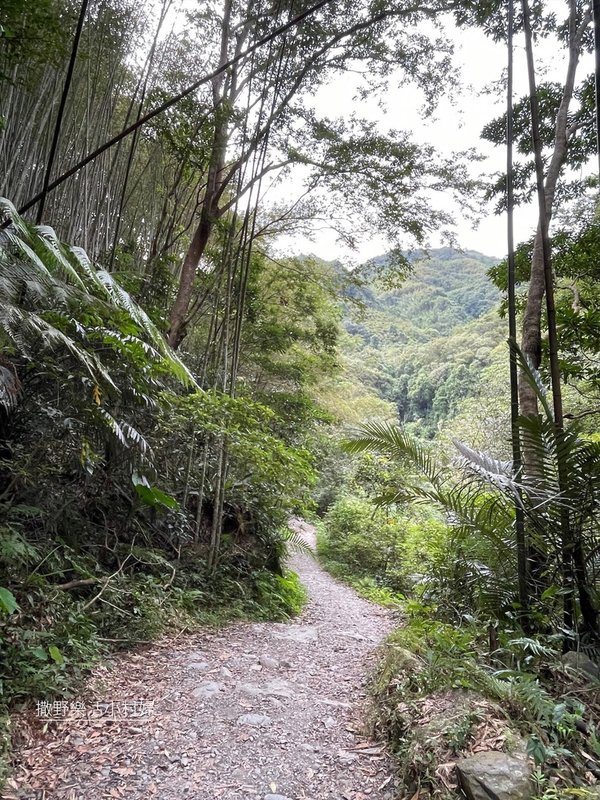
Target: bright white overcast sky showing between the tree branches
456, 126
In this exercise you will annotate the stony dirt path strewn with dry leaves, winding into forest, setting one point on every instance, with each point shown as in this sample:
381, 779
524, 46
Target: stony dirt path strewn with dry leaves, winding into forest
271, 711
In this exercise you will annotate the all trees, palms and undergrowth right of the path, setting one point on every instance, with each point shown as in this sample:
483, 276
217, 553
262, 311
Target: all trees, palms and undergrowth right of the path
501, 630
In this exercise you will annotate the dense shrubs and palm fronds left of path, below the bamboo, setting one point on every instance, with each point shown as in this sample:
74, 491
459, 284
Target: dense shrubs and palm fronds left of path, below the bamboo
138, 493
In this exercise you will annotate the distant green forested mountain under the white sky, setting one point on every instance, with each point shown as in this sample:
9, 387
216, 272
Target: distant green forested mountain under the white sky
424, 345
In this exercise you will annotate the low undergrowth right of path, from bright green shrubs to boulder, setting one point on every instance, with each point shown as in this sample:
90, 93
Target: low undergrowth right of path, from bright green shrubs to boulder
456, 677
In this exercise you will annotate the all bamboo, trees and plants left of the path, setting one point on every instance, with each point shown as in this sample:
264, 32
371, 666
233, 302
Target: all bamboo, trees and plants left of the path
167, 377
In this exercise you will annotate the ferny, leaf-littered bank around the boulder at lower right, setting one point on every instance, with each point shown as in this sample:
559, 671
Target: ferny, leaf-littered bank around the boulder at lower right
441, 694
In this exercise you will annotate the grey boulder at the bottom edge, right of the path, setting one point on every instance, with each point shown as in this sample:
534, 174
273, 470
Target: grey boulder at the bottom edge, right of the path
494, 776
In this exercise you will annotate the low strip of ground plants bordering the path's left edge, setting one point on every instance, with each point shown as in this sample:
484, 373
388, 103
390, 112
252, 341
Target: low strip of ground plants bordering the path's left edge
49, 646
